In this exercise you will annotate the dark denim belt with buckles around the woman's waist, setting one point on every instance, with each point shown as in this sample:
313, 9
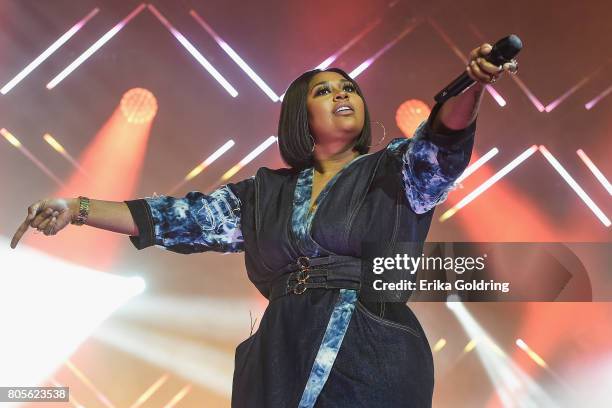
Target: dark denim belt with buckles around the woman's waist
328, 272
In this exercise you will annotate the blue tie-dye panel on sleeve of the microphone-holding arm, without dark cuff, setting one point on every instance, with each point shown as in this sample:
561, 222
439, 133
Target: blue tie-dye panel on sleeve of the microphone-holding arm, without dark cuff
425, 183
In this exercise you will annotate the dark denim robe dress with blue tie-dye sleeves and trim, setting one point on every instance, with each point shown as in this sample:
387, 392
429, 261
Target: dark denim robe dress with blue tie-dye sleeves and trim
323, 348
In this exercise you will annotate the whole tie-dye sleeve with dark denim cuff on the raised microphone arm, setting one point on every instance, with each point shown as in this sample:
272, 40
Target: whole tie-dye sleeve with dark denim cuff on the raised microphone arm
431, 162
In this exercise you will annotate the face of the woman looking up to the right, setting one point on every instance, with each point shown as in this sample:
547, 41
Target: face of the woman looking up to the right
335, 110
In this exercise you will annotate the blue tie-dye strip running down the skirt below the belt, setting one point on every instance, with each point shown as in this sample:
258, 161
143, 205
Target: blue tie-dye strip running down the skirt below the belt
330, 345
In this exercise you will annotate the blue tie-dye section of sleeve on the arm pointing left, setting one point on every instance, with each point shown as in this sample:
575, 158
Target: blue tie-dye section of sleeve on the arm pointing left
197, 222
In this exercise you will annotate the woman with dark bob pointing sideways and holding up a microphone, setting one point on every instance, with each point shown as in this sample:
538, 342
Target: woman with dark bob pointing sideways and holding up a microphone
319, 343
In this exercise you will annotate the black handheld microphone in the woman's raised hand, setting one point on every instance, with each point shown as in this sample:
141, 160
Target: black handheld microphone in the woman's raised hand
503, 51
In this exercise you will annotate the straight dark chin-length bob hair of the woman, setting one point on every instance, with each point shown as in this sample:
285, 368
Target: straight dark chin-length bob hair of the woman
293, 130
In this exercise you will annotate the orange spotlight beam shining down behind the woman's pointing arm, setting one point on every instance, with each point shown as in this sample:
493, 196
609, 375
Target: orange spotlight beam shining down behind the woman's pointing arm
113, 159
